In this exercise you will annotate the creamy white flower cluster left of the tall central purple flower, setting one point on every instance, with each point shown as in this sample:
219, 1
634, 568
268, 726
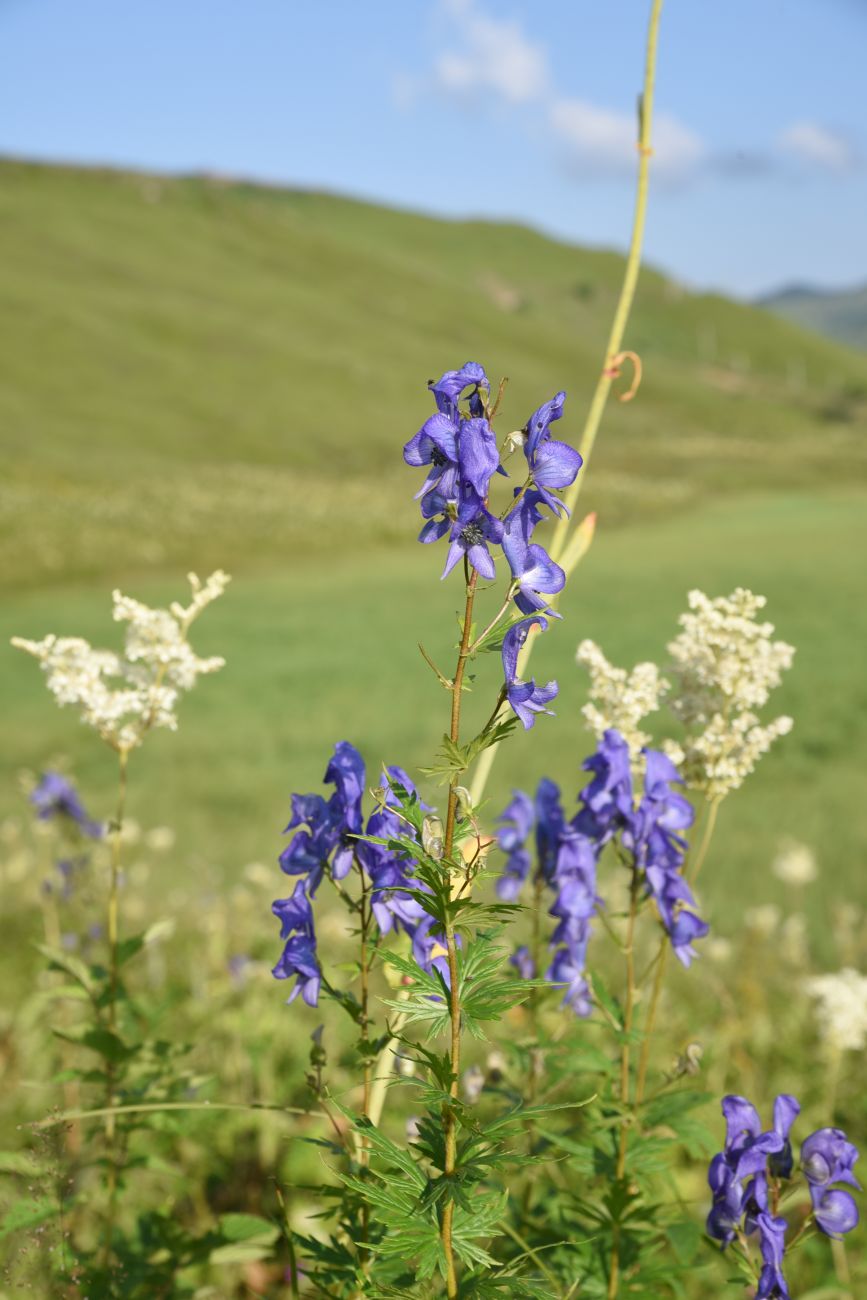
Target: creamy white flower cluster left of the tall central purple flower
123, 696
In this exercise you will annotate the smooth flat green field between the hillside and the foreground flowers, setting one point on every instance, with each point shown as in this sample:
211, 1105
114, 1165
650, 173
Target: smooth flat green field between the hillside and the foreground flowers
331, 653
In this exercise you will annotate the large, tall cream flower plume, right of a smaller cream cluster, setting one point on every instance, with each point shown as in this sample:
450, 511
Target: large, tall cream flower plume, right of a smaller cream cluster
726, 666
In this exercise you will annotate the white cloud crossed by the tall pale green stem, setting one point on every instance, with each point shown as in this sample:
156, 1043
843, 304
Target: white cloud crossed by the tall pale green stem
606, 141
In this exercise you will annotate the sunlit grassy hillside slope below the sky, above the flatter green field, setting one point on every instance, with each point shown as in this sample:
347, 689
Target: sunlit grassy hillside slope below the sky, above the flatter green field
201, 372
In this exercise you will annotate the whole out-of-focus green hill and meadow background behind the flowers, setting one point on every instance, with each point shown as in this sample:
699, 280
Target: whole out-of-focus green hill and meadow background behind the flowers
197, 374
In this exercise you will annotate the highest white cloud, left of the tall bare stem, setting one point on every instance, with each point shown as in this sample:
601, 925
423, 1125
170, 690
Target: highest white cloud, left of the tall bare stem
493, 57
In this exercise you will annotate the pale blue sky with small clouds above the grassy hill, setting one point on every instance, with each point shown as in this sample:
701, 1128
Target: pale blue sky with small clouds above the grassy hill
508, 109
